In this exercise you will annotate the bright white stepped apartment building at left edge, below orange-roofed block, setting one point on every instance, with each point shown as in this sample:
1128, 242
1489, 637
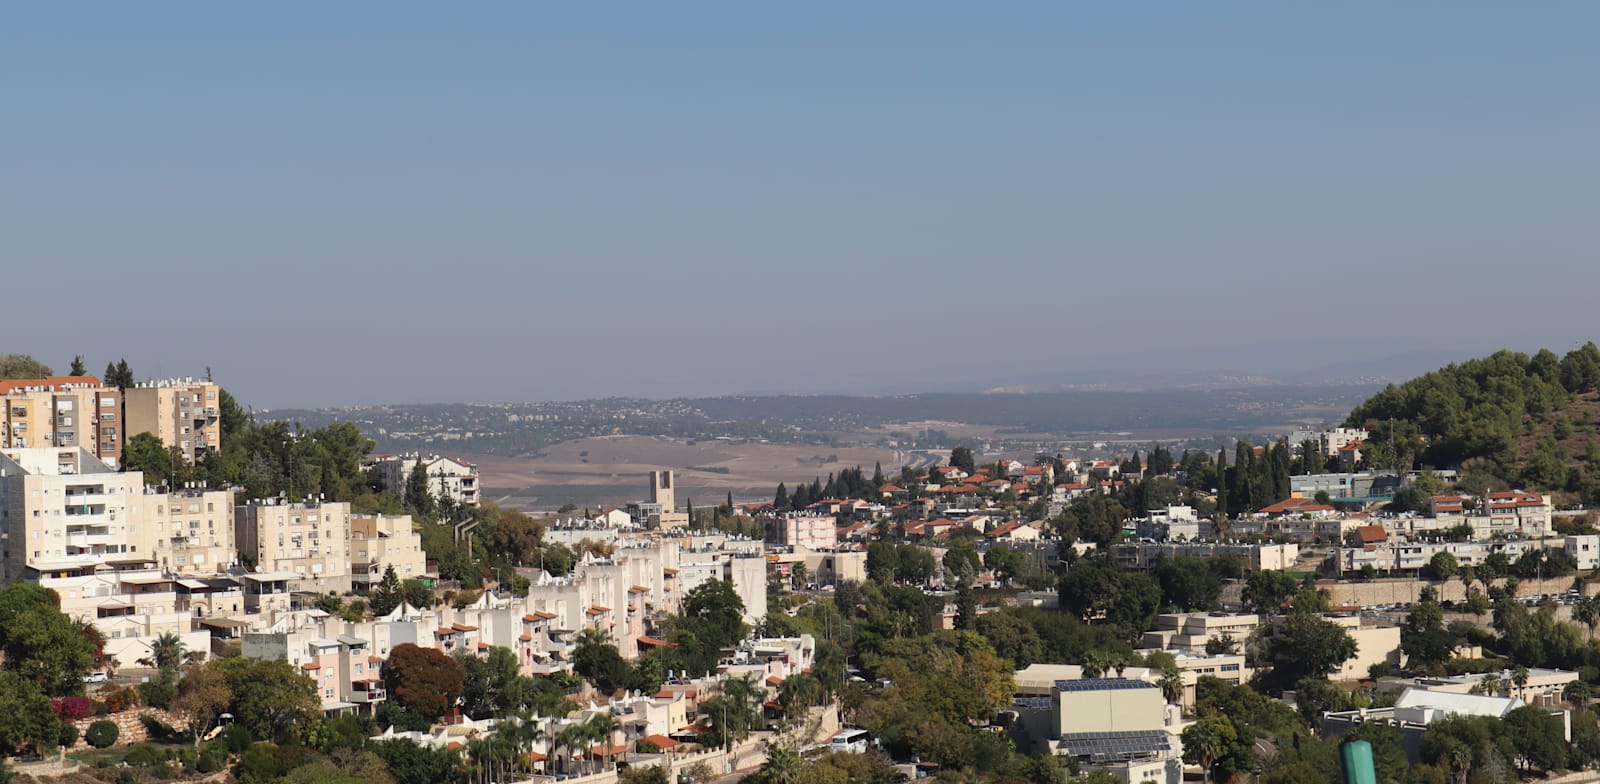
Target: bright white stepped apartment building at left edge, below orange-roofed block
63, 510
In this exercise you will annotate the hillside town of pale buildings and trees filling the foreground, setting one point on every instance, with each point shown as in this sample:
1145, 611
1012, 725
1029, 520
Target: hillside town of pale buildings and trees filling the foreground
1044, 618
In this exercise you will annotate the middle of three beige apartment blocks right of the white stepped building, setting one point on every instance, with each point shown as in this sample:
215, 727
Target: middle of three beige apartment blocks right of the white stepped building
308, 540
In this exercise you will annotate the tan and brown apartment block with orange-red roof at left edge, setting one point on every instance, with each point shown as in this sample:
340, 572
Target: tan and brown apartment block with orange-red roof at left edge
63, 412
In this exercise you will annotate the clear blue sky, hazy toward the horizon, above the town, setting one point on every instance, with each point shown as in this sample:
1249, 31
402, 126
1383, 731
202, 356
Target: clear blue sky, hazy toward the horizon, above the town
342, 204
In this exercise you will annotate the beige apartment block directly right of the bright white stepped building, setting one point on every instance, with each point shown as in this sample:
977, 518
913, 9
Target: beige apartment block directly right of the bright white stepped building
193, 530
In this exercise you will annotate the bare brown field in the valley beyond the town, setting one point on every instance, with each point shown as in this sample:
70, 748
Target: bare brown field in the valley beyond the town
614, 470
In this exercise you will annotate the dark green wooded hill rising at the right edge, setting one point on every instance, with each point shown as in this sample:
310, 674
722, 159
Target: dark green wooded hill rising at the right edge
1505, 420
